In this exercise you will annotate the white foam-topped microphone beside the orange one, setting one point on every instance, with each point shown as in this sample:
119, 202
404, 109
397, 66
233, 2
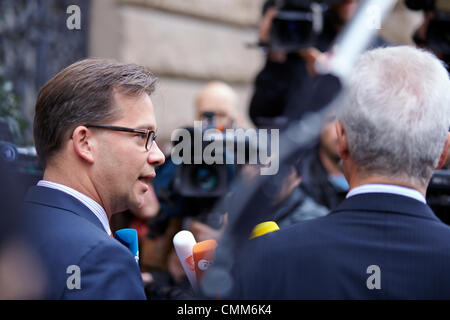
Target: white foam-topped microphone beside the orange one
184, 242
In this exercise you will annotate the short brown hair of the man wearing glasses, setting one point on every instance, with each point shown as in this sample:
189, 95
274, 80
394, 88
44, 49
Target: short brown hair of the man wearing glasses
83, 93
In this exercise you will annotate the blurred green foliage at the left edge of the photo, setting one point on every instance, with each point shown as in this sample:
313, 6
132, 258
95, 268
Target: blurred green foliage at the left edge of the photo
10, 111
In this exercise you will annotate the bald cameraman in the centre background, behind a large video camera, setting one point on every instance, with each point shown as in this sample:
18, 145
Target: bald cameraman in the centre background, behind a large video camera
216, 106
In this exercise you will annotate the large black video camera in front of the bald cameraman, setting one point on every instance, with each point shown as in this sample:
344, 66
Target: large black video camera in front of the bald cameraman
191, 186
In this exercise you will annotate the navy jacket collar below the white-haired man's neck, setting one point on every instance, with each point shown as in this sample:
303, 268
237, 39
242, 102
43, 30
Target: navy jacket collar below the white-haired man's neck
386, 202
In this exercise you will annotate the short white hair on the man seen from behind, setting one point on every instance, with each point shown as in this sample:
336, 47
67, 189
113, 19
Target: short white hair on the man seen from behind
396, 113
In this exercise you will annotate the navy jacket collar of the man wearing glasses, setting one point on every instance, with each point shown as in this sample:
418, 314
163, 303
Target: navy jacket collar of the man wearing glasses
61, 200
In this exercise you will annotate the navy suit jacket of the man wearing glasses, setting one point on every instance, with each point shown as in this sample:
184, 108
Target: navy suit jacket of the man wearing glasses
65, 232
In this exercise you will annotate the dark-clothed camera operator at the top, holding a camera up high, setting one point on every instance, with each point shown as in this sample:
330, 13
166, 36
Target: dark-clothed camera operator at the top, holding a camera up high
284, 87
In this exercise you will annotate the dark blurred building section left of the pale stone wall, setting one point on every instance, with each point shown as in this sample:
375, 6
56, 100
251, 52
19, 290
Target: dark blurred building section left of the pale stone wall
35, 44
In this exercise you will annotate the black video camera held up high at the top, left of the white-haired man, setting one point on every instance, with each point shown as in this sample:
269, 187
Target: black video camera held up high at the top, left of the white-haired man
298, 23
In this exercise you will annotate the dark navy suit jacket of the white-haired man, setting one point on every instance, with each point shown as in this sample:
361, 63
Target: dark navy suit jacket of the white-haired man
329, 257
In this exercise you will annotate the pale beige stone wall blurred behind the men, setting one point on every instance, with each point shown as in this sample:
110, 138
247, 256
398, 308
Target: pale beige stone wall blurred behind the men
187, 43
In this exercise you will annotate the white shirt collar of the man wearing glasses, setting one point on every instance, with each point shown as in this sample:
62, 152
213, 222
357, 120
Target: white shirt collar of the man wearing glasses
96, 208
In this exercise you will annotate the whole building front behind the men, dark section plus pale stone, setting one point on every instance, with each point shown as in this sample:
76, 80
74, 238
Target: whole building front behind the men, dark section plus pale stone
186, 43
